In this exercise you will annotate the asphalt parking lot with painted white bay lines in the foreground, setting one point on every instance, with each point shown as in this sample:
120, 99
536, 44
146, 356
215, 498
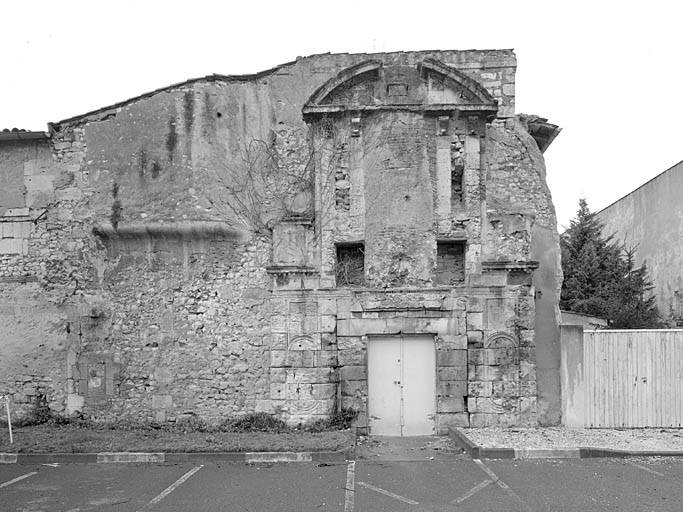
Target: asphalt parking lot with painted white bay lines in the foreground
447, 483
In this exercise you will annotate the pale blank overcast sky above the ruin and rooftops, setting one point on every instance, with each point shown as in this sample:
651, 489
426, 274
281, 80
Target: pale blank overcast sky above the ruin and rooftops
608, 72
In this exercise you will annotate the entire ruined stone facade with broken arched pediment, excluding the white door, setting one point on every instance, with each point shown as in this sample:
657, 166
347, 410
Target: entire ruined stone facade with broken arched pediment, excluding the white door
233, 244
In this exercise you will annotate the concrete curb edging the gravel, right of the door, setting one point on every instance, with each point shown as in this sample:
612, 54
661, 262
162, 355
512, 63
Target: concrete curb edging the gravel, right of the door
479, 452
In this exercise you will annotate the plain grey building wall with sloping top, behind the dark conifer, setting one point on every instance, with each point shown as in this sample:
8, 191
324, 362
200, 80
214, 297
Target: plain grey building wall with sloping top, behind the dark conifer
651, 219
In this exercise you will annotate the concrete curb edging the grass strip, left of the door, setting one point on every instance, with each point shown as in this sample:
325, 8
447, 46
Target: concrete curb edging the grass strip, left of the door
158, 457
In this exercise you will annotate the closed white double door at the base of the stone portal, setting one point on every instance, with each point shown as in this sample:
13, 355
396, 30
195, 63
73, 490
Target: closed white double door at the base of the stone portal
401, 385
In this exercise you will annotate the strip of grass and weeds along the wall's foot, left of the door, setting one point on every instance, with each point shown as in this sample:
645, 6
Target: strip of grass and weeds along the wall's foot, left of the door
251, 432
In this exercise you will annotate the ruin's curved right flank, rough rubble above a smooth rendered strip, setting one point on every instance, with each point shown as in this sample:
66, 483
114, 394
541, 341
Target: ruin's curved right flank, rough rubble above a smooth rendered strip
522, 221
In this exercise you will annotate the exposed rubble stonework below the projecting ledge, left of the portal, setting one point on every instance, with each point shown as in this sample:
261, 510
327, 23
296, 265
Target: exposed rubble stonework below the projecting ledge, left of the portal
191, 341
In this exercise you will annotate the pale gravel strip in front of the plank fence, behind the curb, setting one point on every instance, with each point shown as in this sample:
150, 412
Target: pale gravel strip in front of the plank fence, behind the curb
659, 439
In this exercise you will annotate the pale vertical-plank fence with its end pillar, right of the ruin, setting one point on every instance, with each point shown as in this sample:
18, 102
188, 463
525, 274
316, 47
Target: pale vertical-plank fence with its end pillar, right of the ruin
624, 378
